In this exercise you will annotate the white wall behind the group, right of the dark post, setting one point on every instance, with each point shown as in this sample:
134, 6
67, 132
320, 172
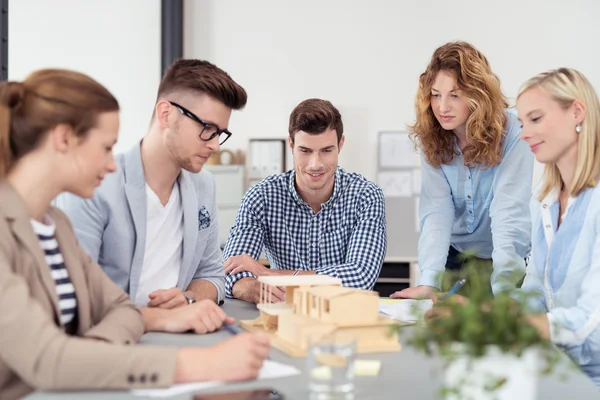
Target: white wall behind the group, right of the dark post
366, 56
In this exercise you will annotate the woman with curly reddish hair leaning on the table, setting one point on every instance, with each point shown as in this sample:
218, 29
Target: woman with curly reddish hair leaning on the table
476, 173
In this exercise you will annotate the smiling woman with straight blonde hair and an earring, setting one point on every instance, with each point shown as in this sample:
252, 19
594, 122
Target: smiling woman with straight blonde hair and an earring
560, 113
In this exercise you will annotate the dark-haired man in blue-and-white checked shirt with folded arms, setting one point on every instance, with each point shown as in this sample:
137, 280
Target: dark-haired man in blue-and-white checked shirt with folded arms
314, 219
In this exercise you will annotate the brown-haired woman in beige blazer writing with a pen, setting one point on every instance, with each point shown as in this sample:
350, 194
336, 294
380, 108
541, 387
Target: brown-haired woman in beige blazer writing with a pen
64, 324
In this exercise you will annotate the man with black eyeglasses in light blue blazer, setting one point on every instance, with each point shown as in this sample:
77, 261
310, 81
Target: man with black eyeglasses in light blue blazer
152, 225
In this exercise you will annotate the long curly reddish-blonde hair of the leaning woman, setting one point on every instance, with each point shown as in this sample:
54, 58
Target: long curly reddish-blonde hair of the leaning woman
485, 125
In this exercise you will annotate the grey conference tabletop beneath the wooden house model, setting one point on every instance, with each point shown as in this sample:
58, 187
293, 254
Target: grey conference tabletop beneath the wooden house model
407, 374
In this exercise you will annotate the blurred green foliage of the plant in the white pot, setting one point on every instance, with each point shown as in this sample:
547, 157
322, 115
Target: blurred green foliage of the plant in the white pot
486, 320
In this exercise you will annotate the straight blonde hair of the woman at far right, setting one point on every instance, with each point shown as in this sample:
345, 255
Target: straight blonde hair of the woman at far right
565, 86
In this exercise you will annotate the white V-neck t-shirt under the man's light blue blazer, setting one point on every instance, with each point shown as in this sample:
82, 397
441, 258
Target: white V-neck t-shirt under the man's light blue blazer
164, 245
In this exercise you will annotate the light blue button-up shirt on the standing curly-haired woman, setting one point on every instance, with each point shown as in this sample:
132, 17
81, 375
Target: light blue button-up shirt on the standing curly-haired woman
478, 209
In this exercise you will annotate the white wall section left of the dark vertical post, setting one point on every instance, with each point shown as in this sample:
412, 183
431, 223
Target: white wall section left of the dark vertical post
117, 42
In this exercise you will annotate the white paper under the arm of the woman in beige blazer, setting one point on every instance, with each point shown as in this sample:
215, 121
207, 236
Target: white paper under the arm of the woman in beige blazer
270, 369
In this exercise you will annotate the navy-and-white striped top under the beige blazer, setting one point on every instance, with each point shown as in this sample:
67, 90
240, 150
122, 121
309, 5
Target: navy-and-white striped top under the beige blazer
64, 288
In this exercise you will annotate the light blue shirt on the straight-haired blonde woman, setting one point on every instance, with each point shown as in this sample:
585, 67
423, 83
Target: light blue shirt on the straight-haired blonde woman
564, 275
